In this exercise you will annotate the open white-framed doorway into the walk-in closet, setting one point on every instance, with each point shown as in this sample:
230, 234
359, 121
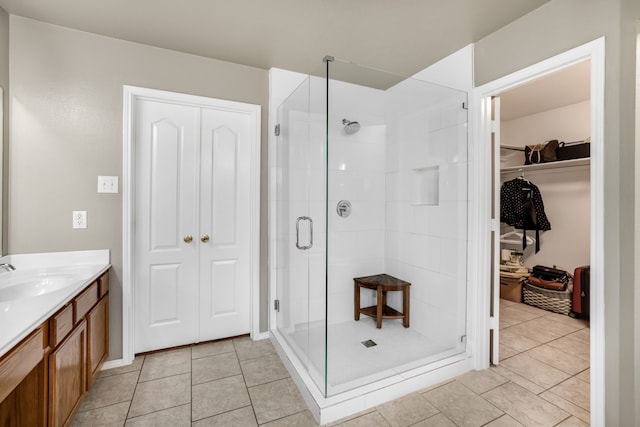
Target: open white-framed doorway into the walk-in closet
544, 341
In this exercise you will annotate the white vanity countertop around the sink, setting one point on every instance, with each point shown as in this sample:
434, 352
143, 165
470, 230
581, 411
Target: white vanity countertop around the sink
19, 317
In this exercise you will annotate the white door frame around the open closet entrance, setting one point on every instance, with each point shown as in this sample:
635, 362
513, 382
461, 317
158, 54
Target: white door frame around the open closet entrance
595, 52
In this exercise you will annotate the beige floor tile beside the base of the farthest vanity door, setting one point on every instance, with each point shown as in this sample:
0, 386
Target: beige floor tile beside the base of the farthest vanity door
110, 390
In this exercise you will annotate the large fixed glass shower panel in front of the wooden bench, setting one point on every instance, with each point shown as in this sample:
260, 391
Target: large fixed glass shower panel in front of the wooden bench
397, 153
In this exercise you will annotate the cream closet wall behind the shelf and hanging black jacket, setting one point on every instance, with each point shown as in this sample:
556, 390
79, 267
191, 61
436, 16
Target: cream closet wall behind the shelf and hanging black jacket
565, 191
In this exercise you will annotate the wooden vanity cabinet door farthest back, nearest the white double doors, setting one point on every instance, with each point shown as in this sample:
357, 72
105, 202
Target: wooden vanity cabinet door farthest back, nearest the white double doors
97, 338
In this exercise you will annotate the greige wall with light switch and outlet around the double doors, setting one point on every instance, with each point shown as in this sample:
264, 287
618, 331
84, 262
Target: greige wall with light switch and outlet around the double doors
66, 129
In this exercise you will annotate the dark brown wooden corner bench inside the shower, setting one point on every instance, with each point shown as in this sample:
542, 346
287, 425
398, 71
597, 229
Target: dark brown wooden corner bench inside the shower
382, 283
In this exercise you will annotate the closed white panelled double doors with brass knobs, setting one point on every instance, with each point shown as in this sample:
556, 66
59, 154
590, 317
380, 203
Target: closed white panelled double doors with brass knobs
192, 224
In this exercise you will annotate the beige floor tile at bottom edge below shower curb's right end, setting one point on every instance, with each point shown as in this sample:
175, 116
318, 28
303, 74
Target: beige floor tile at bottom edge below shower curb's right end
462, 406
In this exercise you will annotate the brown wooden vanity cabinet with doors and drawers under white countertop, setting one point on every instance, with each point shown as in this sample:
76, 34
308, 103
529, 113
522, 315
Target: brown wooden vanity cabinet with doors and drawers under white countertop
44, 379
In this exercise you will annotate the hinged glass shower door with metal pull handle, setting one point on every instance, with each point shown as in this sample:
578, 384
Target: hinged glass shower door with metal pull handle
300, 212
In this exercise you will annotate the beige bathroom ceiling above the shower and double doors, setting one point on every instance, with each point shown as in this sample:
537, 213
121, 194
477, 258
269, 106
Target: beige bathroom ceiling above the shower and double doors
400, 36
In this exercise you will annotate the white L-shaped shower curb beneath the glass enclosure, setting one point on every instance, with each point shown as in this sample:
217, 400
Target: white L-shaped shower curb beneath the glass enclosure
374, 390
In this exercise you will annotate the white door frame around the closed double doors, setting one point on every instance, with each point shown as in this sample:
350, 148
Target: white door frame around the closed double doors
131, 94
